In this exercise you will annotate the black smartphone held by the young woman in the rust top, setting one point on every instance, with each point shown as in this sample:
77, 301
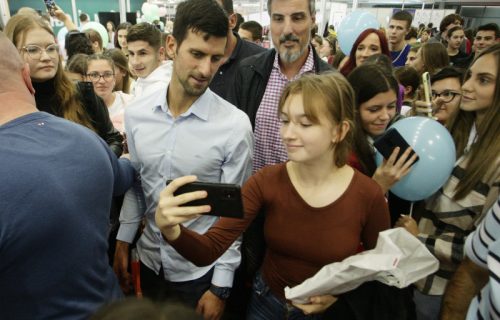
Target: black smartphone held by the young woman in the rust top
223, 198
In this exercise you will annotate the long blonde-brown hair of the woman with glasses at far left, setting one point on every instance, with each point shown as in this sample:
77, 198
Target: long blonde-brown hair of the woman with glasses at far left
65, 90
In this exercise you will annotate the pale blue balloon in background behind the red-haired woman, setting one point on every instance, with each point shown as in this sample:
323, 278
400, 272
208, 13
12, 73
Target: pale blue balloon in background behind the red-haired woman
351, 27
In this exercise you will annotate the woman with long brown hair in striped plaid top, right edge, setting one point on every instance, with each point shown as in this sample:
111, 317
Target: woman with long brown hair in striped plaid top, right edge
454, 211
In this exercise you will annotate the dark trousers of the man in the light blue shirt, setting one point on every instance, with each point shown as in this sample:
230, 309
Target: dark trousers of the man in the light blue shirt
155, 287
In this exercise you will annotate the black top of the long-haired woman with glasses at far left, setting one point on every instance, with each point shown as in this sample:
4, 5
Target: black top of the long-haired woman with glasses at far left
47, 101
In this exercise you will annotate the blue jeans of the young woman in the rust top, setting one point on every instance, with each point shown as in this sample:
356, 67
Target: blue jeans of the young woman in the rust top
264, 305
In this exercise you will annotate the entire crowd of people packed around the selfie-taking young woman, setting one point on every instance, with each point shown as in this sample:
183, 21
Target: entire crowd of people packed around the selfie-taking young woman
96, 146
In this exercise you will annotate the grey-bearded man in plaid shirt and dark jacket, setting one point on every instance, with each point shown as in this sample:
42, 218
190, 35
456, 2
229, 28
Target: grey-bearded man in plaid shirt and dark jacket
261, 78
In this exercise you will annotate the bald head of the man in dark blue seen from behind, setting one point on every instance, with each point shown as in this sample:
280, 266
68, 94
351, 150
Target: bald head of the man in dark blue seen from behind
11, 64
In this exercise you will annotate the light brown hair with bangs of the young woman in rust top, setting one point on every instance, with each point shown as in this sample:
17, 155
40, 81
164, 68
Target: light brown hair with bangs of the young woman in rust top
333, 97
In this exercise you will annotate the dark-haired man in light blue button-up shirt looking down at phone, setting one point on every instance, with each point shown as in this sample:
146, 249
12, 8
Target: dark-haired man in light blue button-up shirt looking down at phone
181, 130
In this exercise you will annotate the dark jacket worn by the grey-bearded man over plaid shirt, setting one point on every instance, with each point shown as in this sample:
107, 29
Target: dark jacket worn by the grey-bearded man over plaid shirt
251, 80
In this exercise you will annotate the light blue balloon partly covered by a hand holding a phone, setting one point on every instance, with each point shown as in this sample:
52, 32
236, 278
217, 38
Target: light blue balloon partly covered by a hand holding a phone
436, 151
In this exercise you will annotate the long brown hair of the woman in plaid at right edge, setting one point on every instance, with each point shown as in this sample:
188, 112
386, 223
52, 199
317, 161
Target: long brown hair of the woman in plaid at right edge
484, 153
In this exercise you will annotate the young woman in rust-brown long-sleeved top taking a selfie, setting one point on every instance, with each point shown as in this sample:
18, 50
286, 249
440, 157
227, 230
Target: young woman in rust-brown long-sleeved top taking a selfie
317, 208
